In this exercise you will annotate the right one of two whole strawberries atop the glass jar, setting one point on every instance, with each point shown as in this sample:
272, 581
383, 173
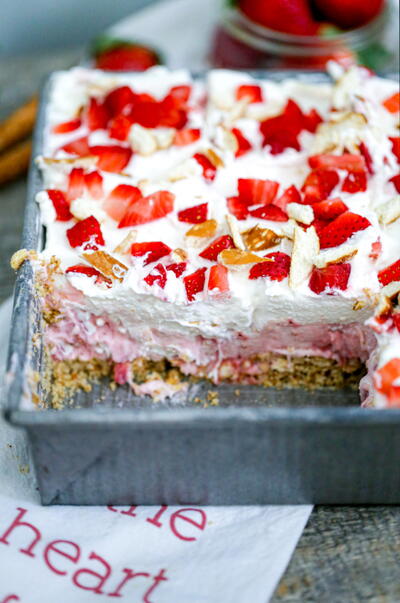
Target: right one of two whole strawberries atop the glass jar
348, 14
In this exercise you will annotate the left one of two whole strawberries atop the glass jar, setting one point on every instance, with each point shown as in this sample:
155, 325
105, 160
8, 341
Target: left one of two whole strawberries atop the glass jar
288, 16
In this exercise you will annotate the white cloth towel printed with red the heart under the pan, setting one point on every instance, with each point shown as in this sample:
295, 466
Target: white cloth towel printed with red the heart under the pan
134, 554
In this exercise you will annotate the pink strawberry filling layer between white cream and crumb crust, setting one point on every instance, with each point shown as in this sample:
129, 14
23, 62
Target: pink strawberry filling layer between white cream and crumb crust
74, 338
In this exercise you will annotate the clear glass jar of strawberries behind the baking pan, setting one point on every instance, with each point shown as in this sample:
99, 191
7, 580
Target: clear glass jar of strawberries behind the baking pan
240, 43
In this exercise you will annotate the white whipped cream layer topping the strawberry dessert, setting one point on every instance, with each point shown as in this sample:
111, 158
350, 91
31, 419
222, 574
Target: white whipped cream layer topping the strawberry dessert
351, 111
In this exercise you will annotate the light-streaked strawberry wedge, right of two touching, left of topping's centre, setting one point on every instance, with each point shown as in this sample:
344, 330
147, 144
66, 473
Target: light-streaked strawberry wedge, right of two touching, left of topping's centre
147, 209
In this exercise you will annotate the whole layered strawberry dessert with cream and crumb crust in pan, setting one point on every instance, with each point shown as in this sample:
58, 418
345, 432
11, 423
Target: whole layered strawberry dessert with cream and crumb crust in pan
233, 229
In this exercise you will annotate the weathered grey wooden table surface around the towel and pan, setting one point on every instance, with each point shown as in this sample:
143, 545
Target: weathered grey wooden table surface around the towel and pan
346, 554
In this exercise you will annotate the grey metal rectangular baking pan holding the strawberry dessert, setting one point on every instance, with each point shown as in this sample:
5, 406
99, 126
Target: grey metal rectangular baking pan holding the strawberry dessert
264, 446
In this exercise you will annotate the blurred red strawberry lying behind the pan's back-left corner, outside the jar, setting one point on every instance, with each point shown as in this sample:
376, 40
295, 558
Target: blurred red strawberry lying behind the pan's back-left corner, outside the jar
127, 57
